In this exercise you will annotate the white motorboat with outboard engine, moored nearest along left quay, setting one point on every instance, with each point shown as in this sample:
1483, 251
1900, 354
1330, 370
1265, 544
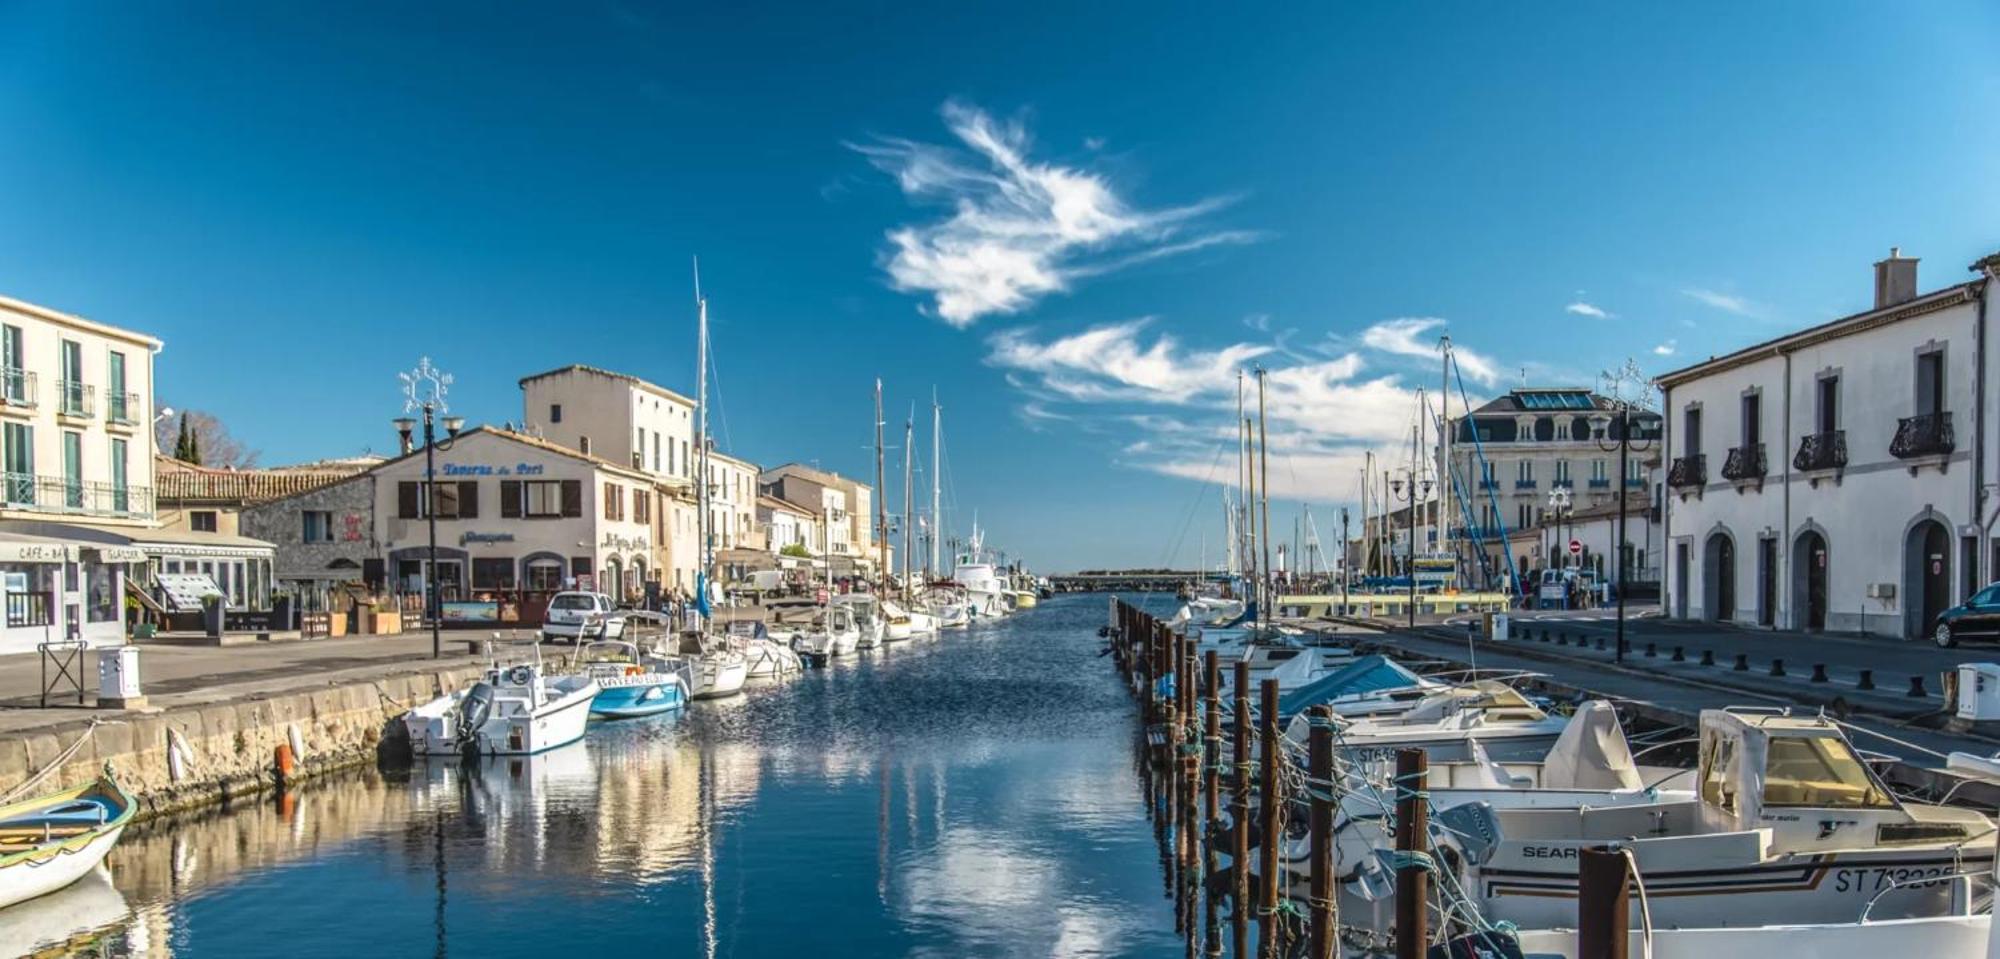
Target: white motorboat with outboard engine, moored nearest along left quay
515, 710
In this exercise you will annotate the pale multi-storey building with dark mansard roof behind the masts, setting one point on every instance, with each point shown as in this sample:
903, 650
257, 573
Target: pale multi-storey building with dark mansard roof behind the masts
1511, 455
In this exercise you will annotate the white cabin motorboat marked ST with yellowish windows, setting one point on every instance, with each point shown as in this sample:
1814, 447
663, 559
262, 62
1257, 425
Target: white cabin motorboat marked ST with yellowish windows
1789, 826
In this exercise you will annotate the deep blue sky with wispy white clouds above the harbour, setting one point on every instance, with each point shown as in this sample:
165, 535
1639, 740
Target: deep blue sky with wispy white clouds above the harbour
1073, 223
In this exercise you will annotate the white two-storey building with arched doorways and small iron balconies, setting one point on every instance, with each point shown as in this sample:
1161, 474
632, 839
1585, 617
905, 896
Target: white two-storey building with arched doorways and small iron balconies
1841, 477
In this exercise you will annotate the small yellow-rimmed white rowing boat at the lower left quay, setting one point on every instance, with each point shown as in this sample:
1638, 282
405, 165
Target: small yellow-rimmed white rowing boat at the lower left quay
55, 840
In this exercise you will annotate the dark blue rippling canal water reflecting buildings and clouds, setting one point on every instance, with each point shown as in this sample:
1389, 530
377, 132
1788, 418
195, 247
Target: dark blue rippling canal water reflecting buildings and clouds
943, 798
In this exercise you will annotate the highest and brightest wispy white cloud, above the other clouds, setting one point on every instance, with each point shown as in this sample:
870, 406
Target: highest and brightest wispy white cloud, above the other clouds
1019, 229
